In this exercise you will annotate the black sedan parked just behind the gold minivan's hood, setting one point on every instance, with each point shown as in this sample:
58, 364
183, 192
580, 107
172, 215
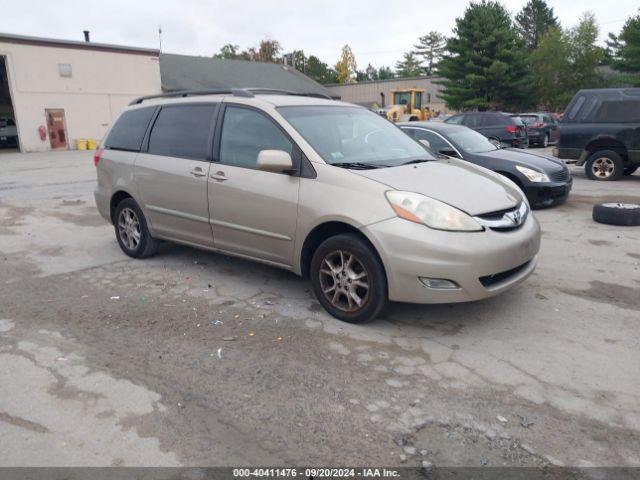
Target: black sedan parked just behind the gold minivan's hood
545, 180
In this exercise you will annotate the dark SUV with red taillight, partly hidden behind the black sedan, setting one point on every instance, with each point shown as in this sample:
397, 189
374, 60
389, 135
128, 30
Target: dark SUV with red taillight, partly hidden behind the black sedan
496, 126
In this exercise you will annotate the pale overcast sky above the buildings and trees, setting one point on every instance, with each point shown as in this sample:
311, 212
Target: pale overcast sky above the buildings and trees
377, 31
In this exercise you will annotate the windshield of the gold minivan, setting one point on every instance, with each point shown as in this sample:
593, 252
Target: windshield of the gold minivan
352, 136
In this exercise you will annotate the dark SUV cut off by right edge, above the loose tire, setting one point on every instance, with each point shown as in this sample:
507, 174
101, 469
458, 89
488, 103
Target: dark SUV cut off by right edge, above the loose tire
601, 130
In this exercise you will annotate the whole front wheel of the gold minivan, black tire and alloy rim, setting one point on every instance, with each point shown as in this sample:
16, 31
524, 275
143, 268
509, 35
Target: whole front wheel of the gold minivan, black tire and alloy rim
348, 278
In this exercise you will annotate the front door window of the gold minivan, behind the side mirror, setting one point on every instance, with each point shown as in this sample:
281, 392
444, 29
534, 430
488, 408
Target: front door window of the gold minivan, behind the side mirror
245, 133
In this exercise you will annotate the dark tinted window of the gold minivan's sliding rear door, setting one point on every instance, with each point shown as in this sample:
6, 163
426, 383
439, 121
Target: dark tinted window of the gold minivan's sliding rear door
182, 131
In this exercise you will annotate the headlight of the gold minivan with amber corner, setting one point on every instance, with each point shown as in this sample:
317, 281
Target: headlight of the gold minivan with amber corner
430, 212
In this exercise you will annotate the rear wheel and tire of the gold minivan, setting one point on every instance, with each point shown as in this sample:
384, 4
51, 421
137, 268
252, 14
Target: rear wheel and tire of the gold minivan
132, 232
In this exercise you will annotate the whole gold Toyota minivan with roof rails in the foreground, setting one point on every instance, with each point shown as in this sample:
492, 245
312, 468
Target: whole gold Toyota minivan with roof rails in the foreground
328, 190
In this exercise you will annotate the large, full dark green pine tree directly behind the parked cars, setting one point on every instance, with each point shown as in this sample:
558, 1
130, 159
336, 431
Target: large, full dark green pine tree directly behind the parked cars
486, 65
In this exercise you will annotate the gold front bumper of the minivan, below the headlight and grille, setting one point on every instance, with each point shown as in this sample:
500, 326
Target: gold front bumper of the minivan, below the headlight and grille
481, 264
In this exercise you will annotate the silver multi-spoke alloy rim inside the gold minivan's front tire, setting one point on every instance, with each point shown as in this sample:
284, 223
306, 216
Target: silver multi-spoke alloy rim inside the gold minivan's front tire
344, 280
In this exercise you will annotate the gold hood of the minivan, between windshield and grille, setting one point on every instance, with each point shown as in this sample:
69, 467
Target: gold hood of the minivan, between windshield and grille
472, 189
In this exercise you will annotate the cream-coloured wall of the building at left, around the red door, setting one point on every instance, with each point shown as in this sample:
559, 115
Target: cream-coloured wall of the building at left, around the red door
101, 85
